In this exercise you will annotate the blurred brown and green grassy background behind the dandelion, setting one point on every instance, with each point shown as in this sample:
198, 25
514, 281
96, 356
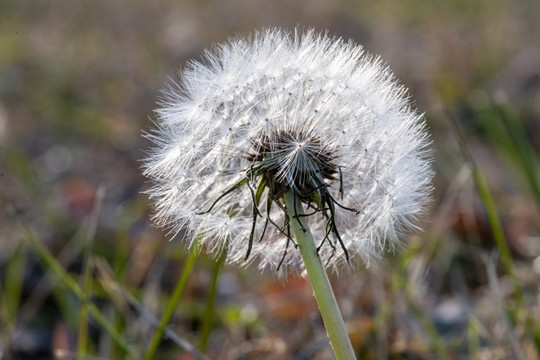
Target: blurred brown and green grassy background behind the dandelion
78, 84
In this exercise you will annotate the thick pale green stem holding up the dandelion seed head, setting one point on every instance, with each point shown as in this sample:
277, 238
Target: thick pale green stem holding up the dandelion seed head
335, 327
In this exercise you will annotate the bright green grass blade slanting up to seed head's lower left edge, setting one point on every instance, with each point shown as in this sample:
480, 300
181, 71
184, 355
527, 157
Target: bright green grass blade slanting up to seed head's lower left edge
173, 302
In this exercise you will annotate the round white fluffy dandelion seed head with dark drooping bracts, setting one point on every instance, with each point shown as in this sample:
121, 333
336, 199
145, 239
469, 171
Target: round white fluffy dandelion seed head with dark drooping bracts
311, 111
